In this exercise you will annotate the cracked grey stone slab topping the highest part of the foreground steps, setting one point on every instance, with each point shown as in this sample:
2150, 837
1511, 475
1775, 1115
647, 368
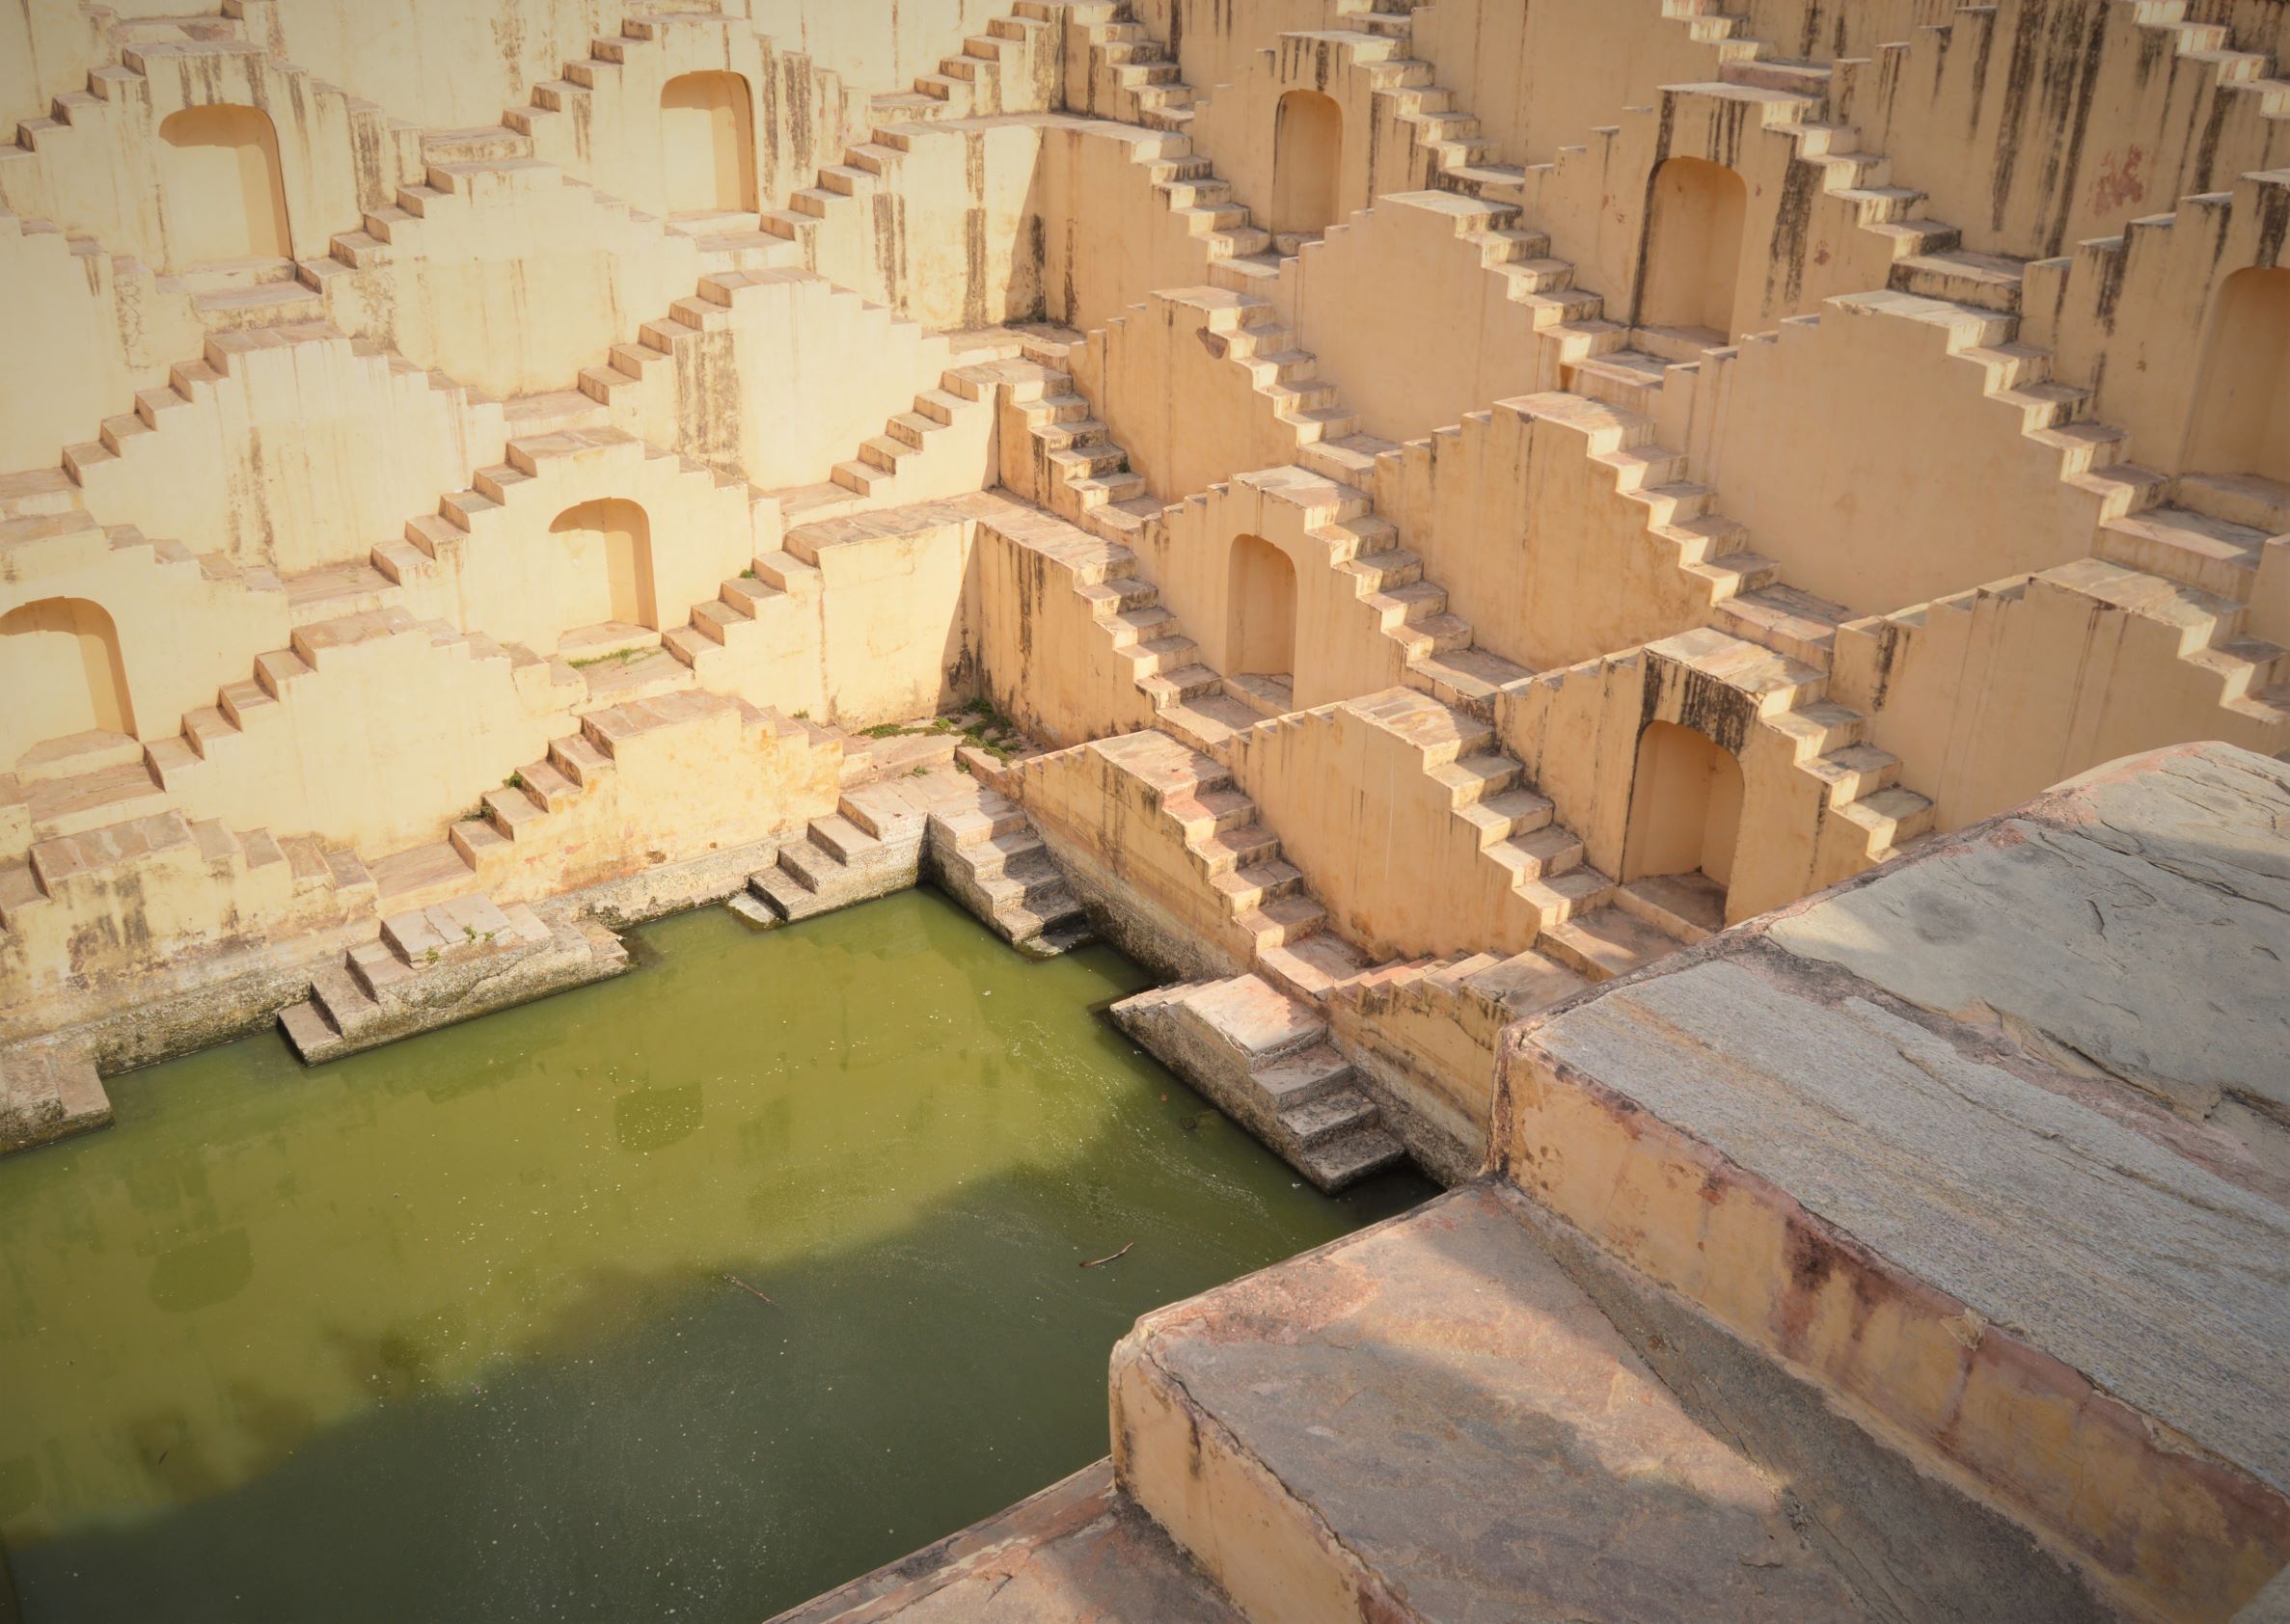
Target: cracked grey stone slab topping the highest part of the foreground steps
2133, 924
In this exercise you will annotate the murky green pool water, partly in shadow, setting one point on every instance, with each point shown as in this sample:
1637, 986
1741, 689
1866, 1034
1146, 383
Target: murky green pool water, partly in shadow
681, 1298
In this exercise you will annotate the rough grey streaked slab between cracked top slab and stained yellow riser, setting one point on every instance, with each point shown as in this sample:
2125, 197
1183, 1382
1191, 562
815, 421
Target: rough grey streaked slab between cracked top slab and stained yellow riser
2154, 1277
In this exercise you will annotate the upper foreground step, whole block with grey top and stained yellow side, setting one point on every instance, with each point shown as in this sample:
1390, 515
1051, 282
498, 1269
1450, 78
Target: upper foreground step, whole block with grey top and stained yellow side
1998, 1142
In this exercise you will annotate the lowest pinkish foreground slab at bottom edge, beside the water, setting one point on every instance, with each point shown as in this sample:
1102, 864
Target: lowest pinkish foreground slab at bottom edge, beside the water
1077, 1552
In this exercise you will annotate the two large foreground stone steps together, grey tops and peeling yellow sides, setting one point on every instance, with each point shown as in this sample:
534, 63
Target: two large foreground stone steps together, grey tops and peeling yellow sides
1627, 1314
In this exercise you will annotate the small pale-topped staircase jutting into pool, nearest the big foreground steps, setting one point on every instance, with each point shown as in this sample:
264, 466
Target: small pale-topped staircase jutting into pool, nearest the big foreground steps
1268, 1062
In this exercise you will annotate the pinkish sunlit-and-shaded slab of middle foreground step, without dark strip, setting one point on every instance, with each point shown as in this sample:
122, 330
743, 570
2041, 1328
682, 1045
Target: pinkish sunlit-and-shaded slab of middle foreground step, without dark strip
1467, 1433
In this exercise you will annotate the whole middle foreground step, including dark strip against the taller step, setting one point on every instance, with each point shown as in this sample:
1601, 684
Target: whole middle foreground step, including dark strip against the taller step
1469, 1414
